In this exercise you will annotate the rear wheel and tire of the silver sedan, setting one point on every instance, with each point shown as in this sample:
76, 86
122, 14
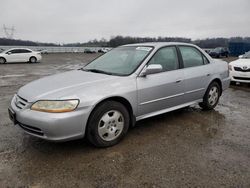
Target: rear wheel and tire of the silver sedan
211, 97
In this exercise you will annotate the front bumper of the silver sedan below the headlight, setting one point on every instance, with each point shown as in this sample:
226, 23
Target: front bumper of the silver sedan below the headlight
51, 126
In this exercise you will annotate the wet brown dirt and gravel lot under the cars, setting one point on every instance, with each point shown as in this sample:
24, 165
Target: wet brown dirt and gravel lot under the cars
184, 148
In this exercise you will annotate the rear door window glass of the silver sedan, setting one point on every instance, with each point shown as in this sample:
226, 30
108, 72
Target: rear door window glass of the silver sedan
191, 56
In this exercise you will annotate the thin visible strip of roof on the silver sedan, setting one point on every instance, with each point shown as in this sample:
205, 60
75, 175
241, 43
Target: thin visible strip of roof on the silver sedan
159, 44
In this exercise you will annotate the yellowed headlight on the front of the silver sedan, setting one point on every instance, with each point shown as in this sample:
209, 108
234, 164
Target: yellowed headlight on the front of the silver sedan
55, 106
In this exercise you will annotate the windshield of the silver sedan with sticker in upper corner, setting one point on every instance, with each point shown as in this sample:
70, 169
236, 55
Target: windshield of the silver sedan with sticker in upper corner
119, 61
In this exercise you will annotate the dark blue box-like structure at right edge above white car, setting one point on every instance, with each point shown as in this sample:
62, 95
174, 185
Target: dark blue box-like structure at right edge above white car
238, 48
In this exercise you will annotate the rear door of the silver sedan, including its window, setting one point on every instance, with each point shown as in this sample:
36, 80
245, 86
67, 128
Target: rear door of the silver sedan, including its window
197, 72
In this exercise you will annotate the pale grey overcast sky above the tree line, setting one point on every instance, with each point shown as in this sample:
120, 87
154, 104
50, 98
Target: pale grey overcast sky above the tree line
66, 21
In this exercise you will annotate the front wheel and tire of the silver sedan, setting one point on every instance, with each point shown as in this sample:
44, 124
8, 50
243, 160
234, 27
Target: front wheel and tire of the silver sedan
108, 124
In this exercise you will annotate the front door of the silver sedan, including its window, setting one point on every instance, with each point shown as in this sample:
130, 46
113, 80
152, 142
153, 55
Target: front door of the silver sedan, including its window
161, 90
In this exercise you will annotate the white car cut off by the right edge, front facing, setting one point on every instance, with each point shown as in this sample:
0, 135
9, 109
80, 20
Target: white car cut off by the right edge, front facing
240, 69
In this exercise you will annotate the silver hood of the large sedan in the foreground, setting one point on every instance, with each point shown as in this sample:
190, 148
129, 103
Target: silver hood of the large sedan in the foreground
62, 85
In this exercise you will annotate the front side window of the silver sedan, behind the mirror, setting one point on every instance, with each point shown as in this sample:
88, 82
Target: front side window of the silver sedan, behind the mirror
167, 58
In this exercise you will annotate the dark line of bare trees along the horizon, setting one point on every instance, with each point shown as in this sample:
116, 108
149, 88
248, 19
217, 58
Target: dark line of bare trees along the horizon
121, 40
